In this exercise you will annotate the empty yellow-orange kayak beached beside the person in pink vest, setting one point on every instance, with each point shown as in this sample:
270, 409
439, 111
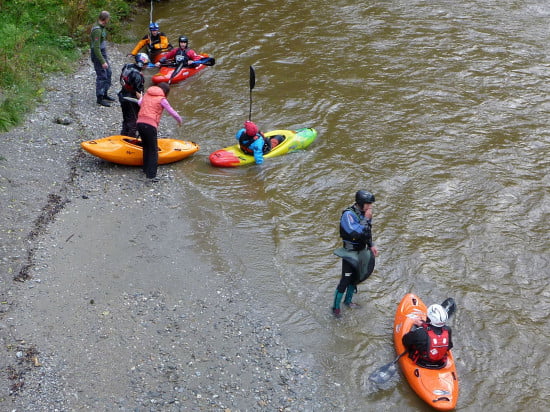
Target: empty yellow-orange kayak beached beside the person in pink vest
127, 151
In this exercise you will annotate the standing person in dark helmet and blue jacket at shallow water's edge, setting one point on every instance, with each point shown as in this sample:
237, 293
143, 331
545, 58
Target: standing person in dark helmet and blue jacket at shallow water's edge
358, 252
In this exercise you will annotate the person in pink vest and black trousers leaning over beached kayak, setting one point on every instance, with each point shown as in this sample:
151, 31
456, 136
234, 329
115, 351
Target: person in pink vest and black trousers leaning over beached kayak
152, 104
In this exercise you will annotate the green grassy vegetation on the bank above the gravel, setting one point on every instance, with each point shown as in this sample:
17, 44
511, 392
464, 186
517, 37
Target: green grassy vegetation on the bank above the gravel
43, 37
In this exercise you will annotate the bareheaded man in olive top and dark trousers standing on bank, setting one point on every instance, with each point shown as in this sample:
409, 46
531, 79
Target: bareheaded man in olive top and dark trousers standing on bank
98, 54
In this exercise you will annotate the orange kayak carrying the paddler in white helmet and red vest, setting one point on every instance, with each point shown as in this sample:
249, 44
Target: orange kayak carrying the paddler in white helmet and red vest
437, 387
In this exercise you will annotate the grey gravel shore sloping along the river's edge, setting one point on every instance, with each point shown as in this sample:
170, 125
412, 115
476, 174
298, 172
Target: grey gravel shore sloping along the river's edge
83, 329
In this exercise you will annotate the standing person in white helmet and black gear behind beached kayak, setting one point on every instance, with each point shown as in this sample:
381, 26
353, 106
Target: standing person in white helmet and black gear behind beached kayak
132, 82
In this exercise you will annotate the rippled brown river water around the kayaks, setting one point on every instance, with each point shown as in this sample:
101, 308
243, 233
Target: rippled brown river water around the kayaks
440, 109
